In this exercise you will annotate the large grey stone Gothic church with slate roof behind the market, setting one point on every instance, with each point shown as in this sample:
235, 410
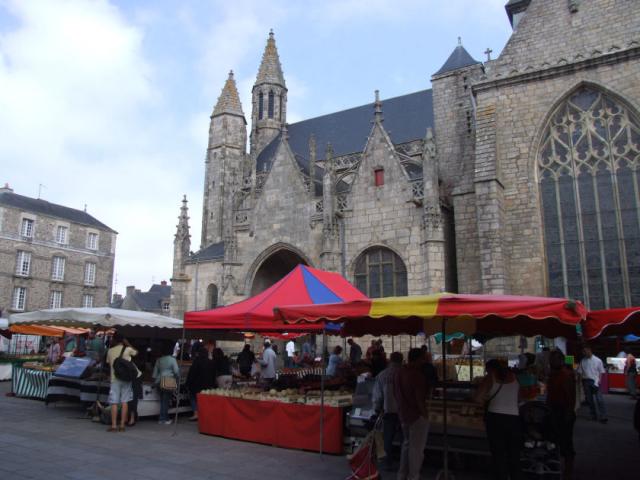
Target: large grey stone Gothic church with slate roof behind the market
518, 175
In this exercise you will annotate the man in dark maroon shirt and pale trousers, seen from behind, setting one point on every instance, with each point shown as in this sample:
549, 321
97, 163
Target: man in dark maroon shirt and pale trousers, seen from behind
411, 391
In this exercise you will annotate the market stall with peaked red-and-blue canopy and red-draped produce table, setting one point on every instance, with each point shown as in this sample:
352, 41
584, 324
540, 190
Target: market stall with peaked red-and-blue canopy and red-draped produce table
316, 428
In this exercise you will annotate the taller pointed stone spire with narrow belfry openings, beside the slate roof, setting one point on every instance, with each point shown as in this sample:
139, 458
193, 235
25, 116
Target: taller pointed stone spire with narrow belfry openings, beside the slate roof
269, 111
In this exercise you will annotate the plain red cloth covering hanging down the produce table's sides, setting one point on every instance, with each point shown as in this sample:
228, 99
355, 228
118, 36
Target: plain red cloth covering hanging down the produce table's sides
280, 424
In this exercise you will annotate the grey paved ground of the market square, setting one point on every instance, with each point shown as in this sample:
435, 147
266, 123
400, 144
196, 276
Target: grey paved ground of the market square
57, 442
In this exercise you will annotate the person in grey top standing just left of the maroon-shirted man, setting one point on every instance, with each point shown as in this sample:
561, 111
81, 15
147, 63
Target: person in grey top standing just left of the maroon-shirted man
384, 403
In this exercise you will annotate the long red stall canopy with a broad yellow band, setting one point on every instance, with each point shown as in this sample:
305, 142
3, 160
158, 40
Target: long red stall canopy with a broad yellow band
470, 314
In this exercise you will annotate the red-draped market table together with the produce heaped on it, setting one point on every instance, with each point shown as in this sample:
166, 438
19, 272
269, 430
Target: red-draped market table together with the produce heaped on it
285, 414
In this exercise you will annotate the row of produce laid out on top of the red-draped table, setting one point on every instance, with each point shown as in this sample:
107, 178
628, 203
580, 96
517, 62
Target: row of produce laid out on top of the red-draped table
333, 398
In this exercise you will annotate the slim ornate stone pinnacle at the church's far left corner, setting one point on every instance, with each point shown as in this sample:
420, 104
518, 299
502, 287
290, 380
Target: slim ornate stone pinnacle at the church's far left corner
181, 249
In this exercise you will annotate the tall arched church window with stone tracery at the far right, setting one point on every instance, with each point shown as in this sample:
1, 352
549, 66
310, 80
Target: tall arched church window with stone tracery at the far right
589, 163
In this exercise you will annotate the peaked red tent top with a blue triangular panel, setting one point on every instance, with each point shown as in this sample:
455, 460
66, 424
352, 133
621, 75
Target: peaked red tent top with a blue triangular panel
302, 286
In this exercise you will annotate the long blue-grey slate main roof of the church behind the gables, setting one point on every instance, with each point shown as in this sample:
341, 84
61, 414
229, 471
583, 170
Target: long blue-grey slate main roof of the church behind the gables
406, 118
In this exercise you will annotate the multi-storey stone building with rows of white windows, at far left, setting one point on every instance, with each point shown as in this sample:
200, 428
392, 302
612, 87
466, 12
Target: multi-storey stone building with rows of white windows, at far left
52, 256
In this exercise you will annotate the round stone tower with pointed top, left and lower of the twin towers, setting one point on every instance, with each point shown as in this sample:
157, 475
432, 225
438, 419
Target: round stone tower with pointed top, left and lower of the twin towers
224, 163
